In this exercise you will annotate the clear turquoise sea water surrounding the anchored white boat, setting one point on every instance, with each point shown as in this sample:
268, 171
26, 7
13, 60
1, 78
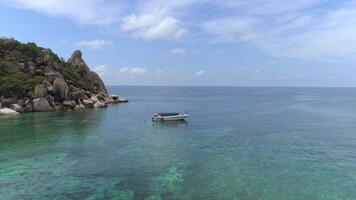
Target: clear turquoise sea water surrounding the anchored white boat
239, 143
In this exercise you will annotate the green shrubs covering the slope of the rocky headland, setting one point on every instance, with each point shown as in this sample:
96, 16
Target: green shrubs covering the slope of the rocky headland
15, 81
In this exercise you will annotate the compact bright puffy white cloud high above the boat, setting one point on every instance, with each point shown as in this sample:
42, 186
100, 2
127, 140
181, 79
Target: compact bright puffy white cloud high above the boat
155, 25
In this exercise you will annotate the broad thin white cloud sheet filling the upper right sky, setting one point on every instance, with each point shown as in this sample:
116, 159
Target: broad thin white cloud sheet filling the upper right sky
290, 29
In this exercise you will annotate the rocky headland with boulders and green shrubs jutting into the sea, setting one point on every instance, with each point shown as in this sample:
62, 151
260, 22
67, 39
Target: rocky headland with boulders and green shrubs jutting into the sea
34, 79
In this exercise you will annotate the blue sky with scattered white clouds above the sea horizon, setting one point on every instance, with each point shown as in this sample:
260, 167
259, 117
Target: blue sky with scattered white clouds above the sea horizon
196, 42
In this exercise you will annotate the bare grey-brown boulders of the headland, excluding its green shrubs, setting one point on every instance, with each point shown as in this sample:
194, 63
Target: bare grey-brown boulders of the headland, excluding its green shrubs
58, 91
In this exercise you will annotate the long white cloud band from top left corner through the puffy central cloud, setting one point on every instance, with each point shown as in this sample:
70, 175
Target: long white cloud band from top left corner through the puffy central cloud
153, 21
